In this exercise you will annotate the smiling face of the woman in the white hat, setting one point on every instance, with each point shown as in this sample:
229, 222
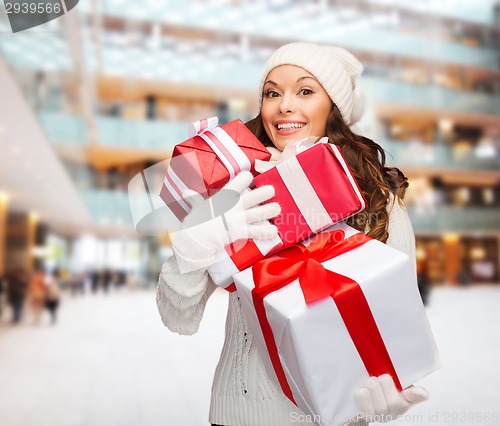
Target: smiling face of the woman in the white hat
294, 106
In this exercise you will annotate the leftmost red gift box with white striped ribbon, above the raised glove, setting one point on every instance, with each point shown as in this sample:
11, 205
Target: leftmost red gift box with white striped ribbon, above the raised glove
208, 160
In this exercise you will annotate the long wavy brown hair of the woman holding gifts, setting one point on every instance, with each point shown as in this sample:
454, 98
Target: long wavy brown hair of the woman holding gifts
366, 160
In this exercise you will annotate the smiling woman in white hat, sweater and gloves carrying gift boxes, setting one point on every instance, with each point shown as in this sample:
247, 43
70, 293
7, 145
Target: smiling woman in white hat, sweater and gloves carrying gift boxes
305, 90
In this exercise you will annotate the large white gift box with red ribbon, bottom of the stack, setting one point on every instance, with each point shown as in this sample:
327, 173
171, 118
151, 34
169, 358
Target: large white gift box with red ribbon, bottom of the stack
322, 327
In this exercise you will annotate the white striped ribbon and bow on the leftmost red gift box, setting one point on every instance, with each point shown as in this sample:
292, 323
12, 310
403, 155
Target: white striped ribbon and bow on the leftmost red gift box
227, 150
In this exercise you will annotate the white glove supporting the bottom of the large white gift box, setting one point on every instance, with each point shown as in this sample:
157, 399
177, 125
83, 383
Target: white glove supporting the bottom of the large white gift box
380, 401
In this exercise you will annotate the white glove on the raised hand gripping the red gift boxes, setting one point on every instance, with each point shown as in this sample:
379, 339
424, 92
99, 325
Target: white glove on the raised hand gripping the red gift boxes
230, 215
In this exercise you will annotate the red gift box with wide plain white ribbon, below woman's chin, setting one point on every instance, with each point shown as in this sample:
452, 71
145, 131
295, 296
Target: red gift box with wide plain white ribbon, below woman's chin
315, 189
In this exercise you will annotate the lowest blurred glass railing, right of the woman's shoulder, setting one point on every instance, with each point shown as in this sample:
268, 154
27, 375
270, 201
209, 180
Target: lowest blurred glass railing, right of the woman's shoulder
454, 218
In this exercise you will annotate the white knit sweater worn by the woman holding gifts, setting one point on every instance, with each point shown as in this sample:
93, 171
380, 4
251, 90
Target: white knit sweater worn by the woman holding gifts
242, 394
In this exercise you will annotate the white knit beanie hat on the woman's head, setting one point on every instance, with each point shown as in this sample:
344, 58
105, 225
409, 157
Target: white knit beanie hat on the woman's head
335, 68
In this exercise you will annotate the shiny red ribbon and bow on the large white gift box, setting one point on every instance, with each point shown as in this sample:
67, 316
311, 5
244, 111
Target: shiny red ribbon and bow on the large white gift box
317, 283
